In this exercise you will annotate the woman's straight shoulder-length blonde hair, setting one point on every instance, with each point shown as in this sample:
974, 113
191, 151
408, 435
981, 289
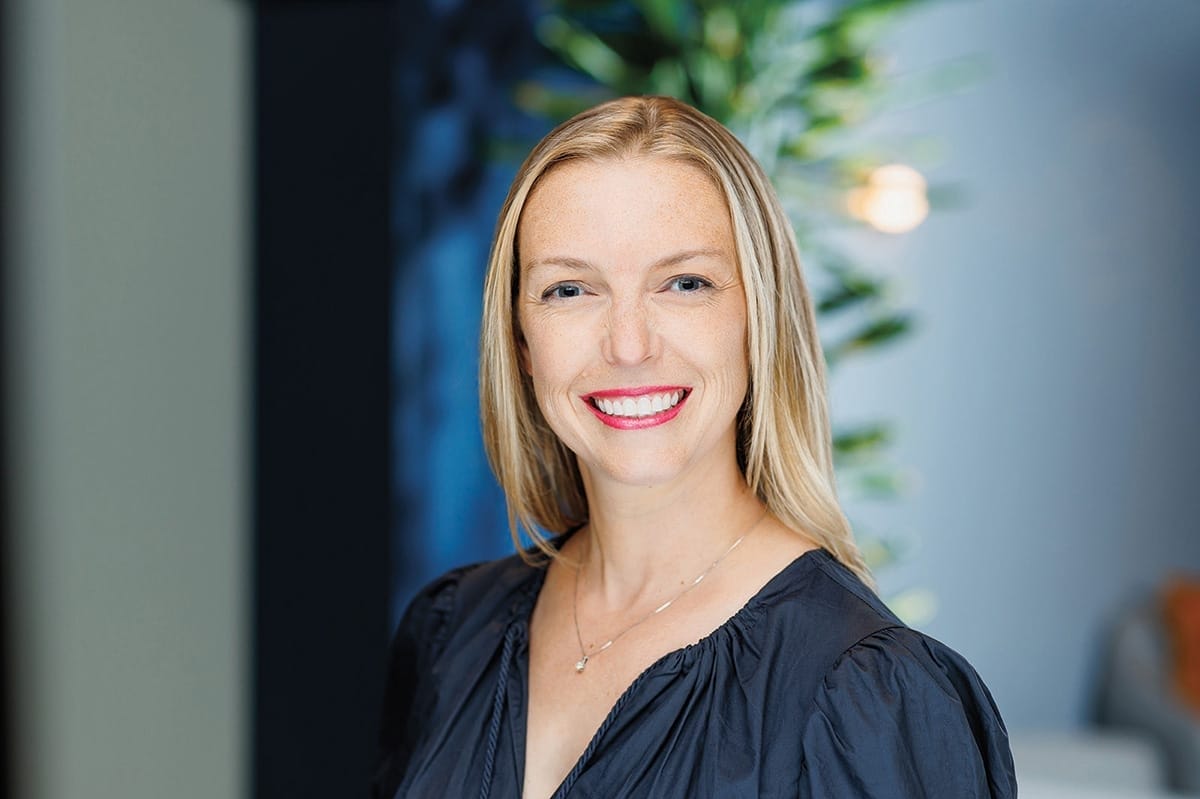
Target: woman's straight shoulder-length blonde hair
784, 436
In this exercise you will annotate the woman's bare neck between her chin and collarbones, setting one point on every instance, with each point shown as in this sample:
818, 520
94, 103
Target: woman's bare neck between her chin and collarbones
645, 542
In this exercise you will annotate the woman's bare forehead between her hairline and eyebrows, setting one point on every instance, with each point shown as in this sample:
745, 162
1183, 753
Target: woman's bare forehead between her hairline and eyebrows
621, 207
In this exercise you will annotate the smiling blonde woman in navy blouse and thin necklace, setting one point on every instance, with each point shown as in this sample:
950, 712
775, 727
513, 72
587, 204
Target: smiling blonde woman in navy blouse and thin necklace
653, 391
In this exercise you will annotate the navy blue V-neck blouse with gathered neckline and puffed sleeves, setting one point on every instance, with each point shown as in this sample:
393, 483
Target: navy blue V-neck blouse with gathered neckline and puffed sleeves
813, 689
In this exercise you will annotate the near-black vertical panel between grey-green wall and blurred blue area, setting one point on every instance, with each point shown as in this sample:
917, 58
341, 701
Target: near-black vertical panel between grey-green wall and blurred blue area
321, 379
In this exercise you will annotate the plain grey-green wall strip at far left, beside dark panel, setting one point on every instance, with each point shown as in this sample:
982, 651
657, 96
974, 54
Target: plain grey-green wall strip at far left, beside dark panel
127, 316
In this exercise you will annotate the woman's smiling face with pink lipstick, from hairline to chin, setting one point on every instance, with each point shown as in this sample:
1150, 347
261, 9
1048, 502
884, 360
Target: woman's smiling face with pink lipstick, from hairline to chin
633, 319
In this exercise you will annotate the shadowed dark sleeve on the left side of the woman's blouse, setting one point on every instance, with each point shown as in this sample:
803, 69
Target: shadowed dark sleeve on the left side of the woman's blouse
419, 639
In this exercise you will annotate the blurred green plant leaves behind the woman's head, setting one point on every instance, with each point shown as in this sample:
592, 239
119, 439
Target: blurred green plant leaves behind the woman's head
793, 79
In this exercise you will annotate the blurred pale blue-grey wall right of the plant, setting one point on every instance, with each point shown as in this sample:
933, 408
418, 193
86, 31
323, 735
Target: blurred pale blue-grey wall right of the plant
1048, 405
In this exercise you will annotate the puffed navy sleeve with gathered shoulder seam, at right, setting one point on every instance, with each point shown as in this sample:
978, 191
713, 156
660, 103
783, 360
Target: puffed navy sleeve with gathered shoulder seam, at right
903, 717
